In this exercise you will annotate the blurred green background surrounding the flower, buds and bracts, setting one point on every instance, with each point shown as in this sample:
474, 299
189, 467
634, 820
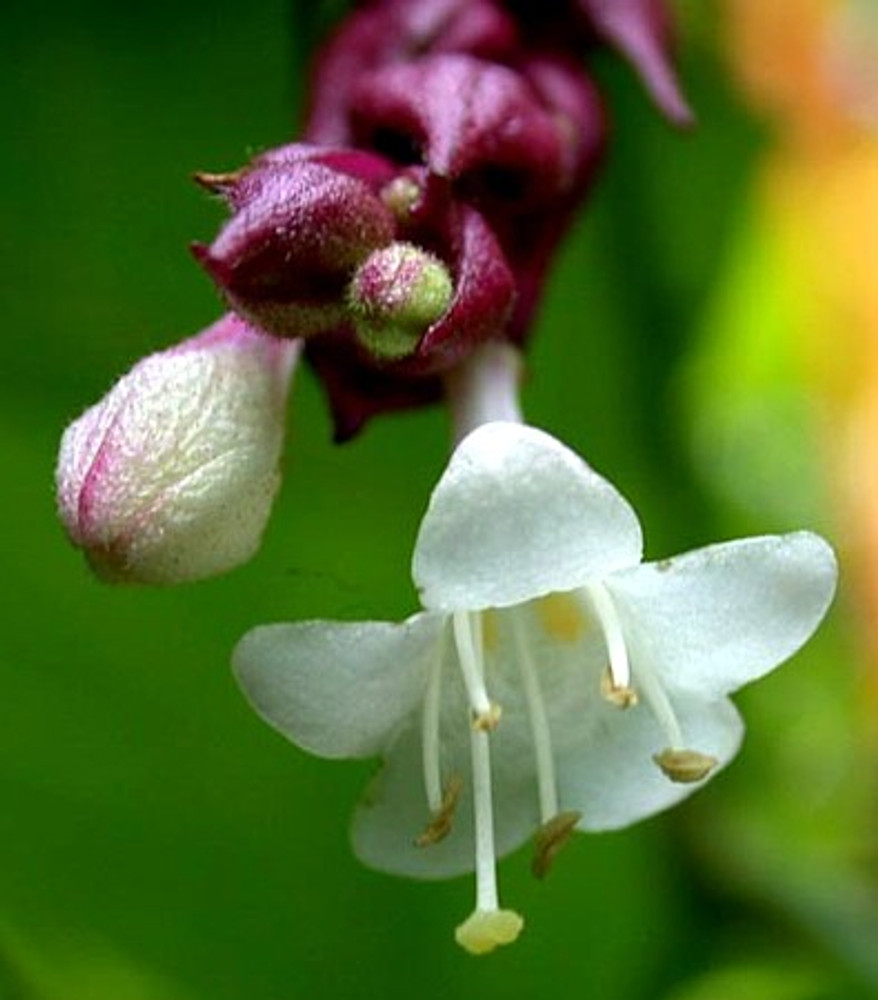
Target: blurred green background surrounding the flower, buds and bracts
158, 842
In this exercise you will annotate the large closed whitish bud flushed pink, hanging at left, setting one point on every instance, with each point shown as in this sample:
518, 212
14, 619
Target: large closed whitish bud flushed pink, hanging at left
171, 477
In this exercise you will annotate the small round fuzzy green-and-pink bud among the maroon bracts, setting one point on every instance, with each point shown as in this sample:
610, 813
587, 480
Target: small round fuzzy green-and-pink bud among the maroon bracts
395, 296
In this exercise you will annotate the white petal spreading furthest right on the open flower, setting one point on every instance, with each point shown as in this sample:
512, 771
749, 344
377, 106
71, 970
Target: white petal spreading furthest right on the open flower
714, 619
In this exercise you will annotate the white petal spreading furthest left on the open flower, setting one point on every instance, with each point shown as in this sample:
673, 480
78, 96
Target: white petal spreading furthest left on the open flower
337, 689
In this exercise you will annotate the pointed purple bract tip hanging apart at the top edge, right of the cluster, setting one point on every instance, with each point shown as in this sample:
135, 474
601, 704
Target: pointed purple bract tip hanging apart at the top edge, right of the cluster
640, 31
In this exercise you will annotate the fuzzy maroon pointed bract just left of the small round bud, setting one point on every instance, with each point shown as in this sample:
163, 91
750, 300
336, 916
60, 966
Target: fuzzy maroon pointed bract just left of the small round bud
299, 231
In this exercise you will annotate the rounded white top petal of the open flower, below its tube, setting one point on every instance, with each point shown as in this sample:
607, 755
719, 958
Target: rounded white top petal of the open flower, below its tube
516, 515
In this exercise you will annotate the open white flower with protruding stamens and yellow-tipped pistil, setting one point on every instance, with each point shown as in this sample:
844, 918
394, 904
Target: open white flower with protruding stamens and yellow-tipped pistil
554, 681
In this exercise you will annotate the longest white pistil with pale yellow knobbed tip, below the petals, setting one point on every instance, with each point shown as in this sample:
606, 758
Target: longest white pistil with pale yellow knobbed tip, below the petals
488, 926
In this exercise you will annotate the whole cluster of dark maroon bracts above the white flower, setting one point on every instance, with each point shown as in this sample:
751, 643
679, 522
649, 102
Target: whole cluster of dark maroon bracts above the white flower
467, 128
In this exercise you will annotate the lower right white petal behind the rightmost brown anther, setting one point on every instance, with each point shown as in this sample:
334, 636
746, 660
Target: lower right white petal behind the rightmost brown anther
612, 779
